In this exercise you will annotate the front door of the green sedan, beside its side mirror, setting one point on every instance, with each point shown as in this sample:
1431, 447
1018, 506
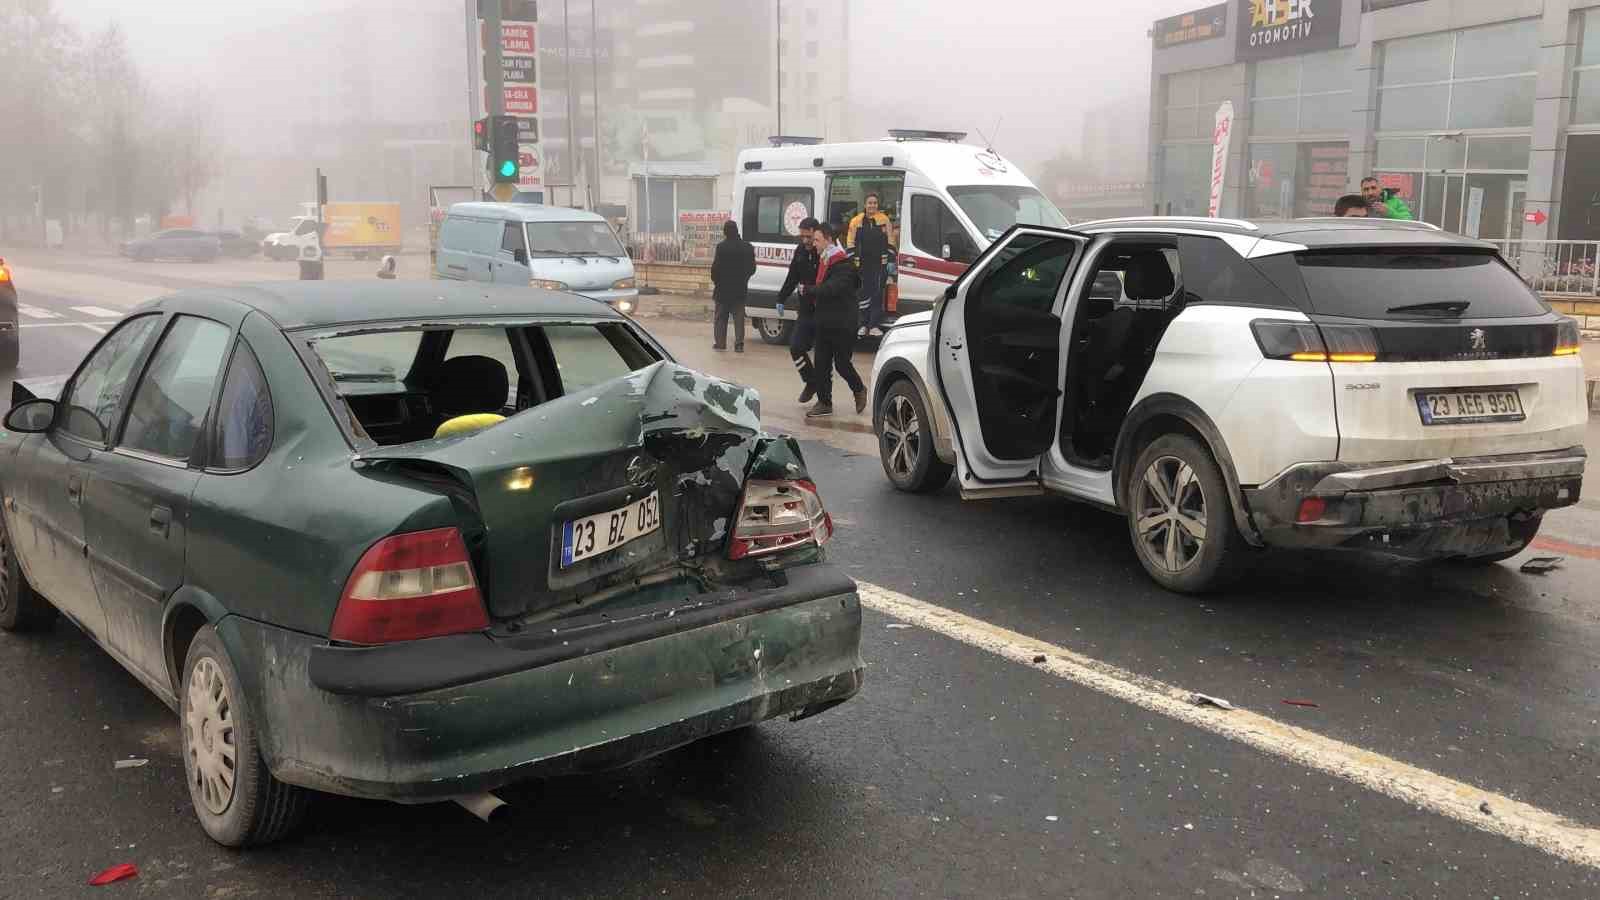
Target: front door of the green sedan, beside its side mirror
57, 467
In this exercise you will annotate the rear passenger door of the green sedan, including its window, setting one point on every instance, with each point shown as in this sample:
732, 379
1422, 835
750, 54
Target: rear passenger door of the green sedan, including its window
137, 507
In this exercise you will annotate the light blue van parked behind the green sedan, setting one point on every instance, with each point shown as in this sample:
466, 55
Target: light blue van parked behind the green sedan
545, 247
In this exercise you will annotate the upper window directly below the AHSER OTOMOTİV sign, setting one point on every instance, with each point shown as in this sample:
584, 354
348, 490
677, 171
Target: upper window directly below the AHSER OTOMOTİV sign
1302, 95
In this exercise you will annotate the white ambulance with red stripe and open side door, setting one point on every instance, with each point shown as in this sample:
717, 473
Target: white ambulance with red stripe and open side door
946, 203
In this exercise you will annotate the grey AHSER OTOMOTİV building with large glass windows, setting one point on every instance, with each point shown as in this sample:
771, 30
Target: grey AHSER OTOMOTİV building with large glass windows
1484, 116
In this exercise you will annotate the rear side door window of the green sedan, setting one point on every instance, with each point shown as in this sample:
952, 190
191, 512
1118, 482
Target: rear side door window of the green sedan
175, 395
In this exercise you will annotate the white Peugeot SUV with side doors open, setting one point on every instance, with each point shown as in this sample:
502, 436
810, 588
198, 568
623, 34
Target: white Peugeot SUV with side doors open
1225, 385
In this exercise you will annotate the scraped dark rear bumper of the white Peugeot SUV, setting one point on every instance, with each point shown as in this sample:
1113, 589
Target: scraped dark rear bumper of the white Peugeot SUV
1428, 508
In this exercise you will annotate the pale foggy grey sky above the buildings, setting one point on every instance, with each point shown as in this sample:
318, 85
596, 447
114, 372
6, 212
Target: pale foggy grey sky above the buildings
1034, 66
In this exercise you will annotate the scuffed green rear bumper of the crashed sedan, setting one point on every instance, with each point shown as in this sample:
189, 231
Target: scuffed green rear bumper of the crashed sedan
361, 721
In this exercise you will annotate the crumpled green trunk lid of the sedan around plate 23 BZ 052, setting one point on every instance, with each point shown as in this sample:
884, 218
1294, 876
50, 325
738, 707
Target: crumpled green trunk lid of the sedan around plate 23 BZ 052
668, 430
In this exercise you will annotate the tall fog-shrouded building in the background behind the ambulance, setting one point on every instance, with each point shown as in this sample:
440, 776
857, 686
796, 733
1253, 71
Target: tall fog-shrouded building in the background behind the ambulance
681, 90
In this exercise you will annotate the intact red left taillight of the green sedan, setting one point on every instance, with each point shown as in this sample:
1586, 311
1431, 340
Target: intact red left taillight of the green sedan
410, 587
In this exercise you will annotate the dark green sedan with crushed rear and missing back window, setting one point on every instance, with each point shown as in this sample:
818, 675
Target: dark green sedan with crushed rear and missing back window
348, 573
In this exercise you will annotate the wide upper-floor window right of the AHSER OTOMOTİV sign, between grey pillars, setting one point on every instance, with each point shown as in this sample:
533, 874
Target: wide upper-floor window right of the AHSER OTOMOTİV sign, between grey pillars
1471, 79
